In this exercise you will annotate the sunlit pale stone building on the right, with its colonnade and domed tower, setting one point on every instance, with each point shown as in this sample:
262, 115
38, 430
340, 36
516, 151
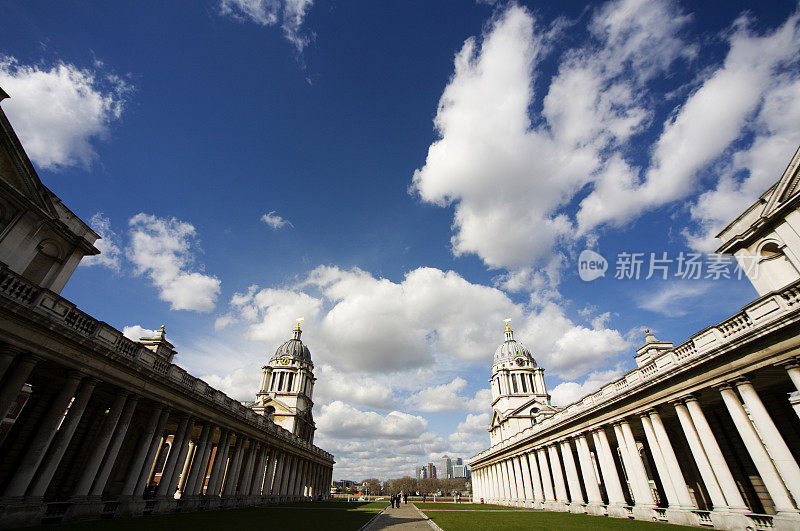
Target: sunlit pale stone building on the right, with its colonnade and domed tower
702, 433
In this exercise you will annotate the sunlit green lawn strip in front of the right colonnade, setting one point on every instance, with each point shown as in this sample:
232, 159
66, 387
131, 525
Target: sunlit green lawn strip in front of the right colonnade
533, 520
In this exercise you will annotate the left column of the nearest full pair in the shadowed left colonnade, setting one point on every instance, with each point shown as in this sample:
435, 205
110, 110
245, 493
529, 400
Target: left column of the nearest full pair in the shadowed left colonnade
44, 435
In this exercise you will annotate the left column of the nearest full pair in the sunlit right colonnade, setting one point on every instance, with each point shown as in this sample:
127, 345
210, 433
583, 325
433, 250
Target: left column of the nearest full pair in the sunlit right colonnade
764, 464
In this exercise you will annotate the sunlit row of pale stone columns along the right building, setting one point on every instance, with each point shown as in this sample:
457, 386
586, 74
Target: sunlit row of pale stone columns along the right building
607, 470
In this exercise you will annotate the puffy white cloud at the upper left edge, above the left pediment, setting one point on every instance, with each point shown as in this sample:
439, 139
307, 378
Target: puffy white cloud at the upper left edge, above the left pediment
60, 111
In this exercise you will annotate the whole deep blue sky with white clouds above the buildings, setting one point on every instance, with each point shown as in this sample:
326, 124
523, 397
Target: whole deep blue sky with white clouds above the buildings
404, 176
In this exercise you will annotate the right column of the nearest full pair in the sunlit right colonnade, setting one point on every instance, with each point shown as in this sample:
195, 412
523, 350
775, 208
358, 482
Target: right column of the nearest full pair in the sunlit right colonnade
776, 446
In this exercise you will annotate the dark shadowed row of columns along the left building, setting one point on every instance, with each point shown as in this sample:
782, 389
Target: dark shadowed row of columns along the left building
172, 459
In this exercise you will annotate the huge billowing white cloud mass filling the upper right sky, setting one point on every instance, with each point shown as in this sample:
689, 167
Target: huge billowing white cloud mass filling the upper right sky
563, 161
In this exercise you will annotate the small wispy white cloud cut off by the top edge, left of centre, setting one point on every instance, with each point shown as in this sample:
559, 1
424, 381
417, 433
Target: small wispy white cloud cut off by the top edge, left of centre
290, 14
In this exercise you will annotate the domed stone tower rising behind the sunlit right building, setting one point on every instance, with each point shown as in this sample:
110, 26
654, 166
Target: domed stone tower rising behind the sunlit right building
519, 394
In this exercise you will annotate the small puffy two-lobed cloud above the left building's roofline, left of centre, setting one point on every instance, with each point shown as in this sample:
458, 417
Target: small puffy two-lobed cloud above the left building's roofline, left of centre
163, 250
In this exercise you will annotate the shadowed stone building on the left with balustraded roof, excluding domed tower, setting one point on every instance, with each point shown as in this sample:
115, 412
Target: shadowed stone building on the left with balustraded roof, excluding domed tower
104, 416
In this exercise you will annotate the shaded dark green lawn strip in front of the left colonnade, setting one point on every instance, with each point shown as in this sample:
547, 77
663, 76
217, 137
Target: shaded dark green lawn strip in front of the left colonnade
296, 516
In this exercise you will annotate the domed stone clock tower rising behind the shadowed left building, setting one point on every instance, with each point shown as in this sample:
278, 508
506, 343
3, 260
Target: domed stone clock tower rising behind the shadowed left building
287, 385
